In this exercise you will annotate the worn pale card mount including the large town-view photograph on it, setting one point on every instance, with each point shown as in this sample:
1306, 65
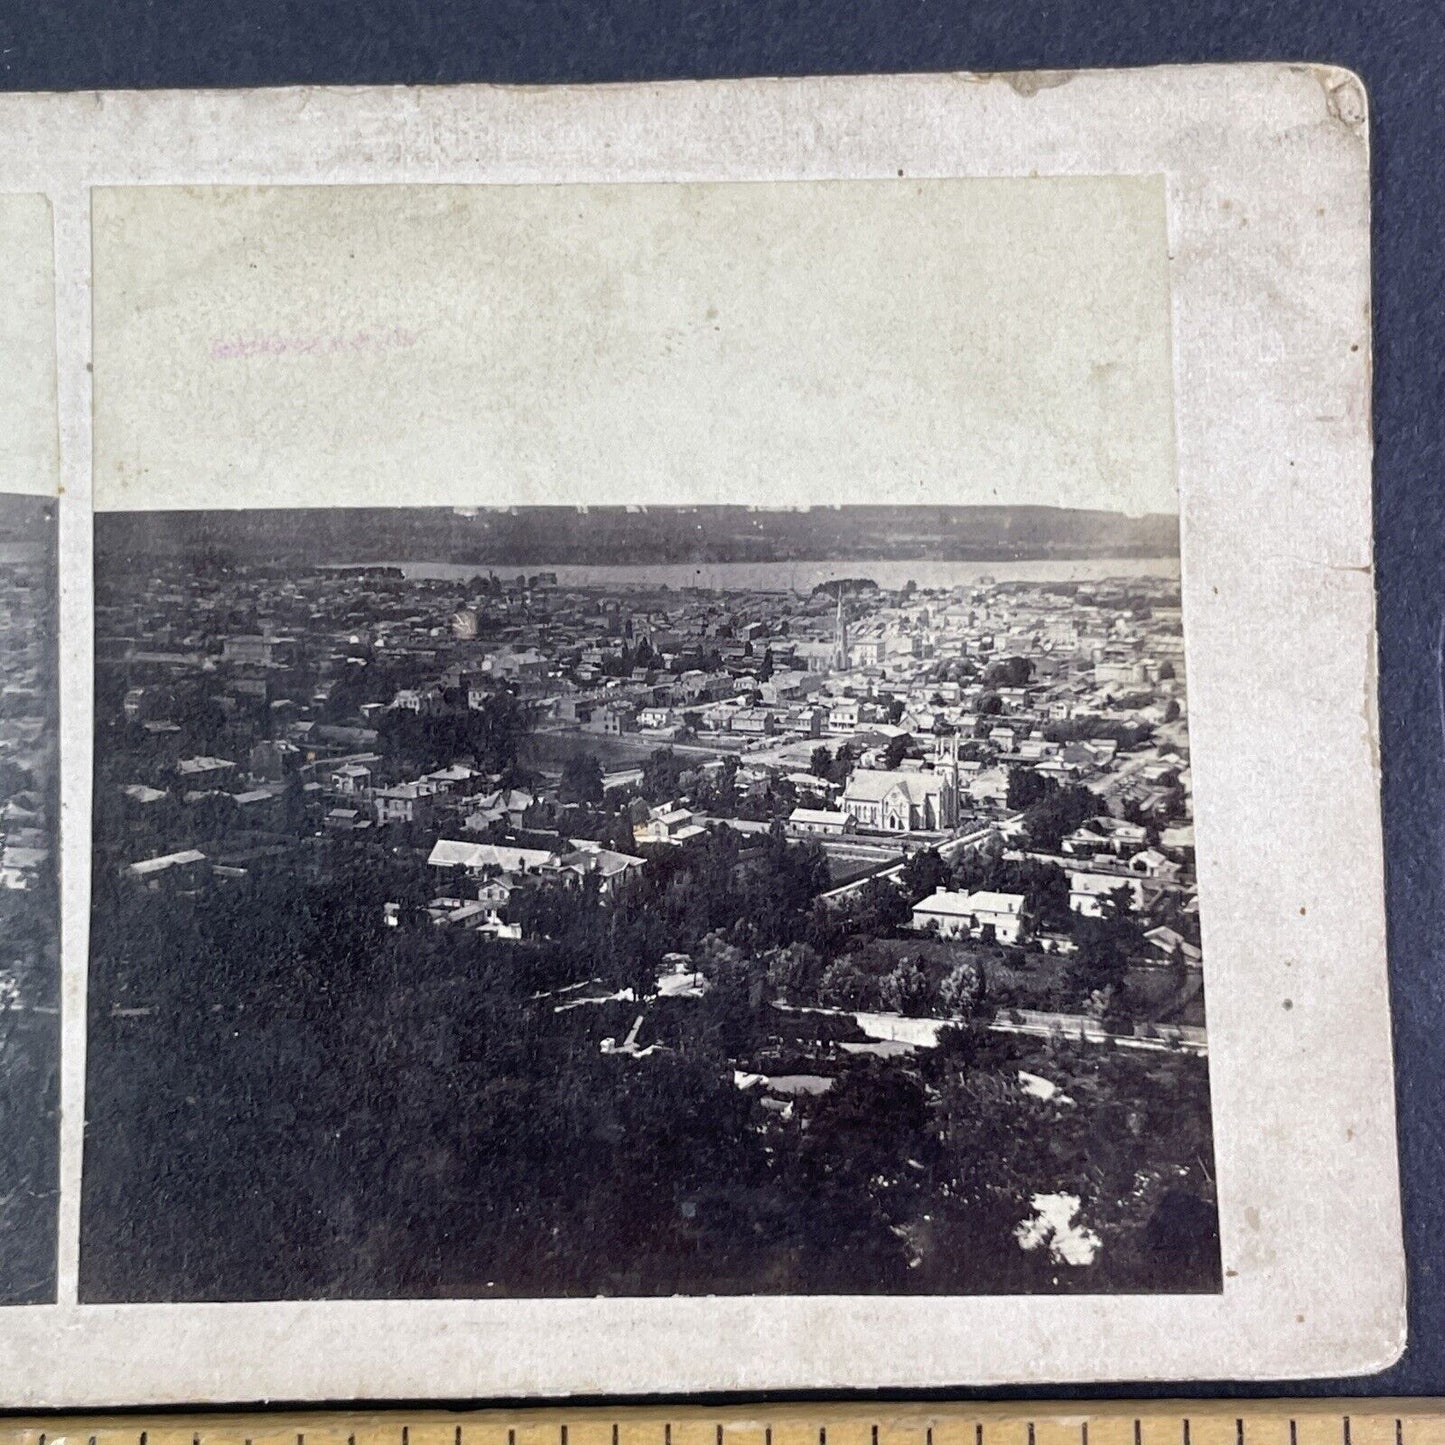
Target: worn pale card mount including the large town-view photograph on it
687, 742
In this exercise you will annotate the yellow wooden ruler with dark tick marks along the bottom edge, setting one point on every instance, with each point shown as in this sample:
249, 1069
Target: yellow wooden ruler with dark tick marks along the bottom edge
1053, 1423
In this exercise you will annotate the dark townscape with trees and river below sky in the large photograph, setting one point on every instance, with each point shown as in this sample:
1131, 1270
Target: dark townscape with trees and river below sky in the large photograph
644, 902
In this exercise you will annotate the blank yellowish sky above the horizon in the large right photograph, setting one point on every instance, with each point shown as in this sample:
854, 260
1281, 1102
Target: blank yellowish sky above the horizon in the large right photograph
764, 343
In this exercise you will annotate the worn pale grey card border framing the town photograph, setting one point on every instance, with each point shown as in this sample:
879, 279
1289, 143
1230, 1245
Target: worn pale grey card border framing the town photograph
1267, 171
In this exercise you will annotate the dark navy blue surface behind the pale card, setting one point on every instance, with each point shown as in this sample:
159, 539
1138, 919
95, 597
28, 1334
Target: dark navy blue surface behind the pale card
1398, 48
